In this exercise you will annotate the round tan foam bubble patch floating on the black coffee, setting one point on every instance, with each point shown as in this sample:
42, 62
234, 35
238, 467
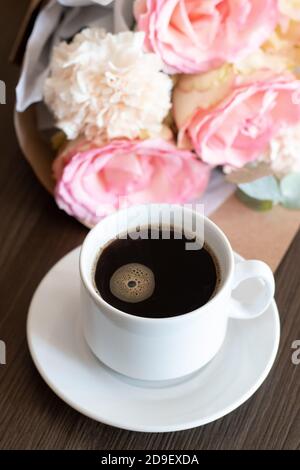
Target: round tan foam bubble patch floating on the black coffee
133, 283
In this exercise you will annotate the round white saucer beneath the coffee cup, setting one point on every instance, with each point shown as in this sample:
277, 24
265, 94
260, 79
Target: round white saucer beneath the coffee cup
66, 364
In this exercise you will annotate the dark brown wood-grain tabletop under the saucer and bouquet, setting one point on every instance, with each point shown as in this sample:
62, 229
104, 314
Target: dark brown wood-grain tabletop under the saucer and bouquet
34, 235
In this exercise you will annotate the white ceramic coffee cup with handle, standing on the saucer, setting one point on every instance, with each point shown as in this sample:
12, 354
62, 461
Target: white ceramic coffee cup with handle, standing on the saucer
165, 348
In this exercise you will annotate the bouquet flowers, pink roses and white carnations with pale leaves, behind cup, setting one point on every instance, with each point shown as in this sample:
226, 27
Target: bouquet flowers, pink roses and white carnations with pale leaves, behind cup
191, 88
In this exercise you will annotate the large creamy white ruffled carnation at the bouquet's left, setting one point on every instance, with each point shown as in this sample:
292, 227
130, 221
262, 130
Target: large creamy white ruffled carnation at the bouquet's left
105, 86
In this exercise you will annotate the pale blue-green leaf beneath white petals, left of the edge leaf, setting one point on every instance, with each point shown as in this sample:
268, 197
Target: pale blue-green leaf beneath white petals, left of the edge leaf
262, 189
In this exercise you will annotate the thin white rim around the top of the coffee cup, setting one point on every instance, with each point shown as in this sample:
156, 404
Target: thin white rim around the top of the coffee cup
100, 302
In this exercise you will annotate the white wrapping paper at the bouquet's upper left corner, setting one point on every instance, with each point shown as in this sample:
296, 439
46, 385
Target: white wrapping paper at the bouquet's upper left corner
55, 22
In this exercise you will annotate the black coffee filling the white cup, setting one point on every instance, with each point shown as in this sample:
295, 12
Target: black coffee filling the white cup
156, 277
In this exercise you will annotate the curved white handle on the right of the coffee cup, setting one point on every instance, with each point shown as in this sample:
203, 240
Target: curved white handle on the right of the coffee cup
252, 269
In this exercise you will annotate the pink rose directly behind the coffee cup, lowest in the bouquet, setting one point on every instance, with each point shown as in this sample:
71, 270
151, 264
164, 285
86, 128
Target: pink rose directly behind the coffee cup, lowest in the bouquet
91, 179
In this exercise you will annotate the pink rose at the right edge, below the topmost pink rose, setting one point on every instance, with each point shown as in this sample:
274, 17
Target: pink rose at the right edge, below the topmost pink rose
238, 129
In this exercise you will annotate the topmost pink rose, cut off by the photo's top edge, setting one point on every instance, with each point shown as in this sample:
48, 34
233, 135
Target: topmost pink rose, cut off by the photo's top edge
193, 36
